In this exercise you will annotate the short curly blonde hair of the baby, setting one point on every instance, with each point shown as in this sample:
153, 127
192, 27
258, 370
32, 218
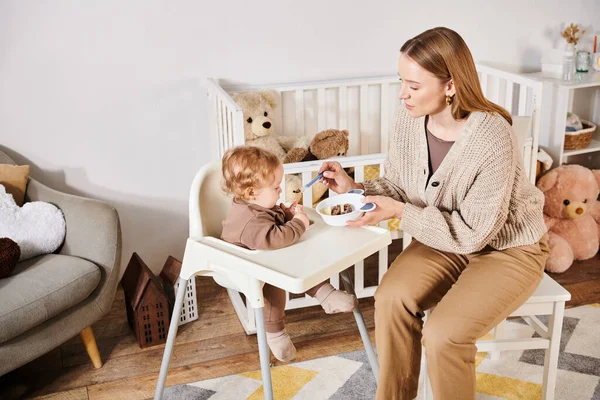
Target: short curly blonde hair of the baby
247, 167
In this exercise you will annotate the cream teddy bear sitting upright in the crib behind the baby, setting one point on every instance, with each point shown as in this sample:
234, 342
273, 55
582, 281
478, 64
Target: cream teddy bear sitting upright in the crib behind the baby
258, 109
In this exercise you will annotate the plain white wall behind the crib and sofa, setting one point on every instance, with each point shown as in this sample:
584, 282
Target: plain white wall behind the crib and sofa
105, 99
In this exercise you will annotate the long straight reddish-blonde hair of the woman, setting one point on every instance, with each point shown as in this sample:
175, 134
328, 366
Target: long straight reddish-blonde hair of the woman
445, 54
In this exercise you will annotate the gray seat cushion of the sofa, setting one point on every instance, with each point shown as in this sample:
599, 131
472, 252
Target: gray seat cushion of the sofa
41, 288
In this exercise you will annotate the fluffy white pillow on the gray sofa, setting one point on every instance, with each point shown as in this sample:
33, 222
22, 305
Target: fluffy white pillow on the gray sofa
37, 227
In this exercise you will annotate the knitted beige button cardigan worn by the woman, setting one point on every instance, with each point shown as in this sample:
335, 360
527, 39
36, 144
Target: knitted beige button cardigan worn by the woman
479, 195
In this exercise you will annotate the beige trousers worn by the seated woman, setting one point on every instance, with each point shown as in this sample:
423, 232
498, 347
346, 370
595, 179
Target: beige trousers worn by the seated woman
471, 295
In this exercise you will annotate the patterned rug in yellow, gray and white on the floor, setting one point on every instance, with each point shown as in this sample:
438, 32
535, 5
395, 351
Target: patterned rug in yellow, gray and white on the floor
517, 375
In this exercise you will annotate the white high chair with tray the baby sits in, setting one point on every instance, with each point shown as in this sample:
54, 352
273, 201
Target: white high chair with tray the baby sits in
321, 253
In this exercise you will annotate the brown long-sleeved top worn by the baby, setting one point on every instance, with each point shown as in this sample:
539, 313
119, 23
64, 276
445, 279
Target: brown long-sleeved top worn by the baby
259, 228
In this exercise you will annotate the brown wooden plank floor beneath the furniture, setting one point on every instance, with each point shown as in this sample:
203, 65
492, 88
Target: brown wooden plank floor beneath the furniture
214, 345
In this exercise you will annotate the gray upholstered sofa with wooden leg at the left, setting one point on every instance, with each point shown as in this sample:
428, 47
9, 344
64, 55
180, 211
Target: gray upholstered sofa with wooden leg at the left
50, 299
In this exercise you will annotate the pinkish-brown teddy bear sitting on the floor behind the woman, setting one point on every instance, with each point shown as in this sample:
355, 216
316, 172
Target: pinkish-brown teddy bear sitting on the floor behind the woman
571, 214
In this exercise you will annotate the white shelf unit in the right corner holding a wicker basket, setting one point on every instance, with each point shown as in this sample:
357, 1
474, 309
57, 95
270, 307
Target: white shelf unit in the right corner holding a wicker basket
581, 96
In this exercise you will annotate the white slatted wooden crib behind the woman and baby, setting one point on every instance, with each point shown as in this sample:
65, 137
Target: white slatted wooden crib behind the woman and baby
365, 107
